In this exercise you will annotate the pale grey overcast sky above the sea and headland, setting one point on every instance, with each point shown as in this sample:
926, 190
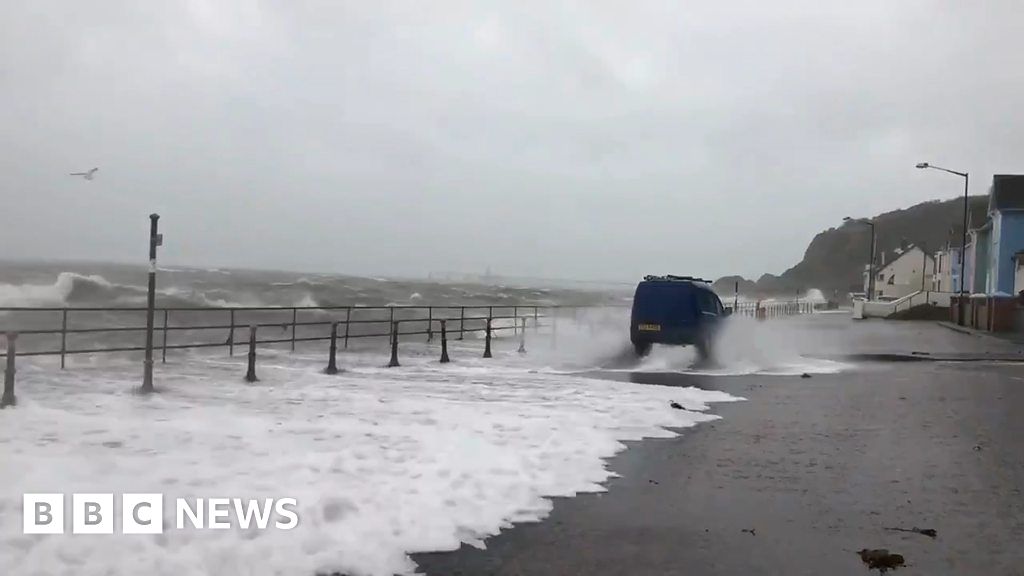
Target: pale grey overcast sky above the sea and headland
574, 140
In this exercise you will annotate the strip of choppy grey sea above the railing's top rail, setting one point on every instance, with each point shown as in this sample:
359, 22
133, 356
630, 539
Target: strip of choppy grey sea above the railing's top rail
87, 284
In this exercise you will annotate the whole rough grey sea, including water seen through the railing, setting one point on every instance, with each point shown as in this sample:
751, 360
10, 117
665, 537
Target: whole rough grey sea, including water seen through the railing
205, 294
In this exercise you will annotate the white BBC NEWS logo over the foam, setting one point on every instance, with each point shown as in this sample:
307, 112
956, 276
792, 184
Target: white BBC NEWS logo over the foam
144, 514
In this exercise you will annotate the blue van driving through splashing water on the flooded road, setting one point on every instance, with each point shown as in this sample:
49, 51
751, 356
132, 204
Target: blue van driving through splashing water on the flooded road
675, 310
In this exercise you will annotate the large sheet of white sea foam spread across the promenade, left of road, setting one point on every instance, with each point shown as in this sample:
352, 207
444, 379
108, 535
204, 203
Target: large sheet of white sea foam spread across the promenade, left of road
382, 463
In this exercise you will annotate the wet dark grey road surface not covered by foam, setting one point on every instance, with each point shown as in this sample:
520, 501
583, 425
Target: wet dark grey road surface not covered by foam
803, 476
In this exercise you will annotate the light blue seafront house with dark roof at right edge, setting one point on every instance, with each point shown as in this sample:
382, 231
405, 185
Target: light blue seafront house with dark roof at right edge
992, 254
